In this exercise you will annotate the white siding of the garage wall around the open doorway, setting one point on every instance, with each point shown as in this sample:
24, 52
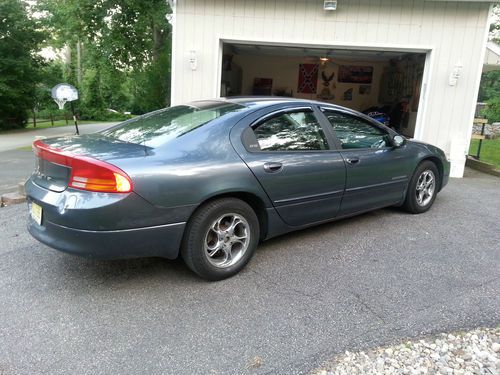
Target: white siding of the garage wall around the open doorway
452, 32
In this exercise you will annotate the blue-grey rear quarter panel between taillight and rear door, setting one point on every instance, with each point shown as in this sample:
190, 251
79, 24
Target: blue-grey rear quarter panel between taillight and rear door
192, 169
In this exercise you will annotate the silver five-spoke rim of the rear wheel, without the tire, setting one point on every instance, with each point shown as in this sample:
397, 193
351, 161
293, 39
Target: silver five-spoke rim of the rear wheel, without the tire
227, 240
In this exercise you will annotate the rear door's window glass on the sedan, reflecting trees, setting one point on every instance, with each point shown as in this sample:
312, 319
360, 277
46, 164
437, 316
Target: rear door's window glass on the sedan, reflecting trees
291, 131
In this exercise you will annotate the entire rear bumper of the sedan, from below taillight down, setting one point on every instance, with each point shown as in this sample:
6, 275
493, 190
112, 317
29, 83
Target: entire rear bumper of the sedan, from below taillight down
105, 226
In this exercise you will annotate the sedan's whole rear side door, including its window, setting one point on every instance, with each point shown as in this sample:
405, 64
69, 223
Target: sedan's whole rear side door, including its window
289, 154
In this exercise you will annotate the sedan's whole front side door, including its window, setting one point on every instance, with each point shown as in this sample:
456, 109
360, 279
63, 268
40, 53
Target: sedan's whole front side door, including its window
377, 173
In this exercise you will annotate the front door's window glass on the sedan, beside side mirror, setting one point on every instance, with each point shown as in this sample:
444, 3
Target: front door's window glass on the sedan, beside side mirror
356, 133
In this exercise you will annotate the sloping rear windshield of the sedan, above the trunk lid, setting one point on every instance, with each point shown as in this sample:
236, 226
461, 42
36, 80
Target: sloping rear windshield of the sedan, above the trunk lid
157, 128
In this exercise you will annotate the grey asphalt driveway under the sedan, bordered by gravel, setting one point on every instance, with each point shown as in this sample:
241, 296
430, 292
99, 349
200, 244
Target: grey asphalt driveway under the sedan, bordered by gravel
354, 284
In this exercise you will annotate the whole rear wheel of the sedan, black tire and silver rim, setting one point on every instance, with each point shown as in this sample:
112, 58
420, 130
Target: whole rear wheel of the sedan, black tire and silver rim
220, 238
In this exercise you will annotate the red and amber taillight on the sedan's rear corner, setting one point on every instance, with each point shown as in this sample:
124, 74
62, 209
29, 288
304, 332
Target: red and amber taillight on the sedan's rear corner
86, 173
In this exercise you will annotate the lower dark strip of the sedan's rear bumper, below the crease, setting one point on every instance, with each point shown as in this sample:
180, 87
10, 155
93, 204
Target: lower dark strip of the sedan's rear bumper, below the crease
161, 240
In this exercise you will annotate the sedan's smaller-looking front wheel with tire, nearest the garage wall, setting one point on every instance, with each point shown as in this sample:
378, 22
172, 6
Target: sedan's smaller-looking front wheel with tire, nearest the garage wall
422, 189
